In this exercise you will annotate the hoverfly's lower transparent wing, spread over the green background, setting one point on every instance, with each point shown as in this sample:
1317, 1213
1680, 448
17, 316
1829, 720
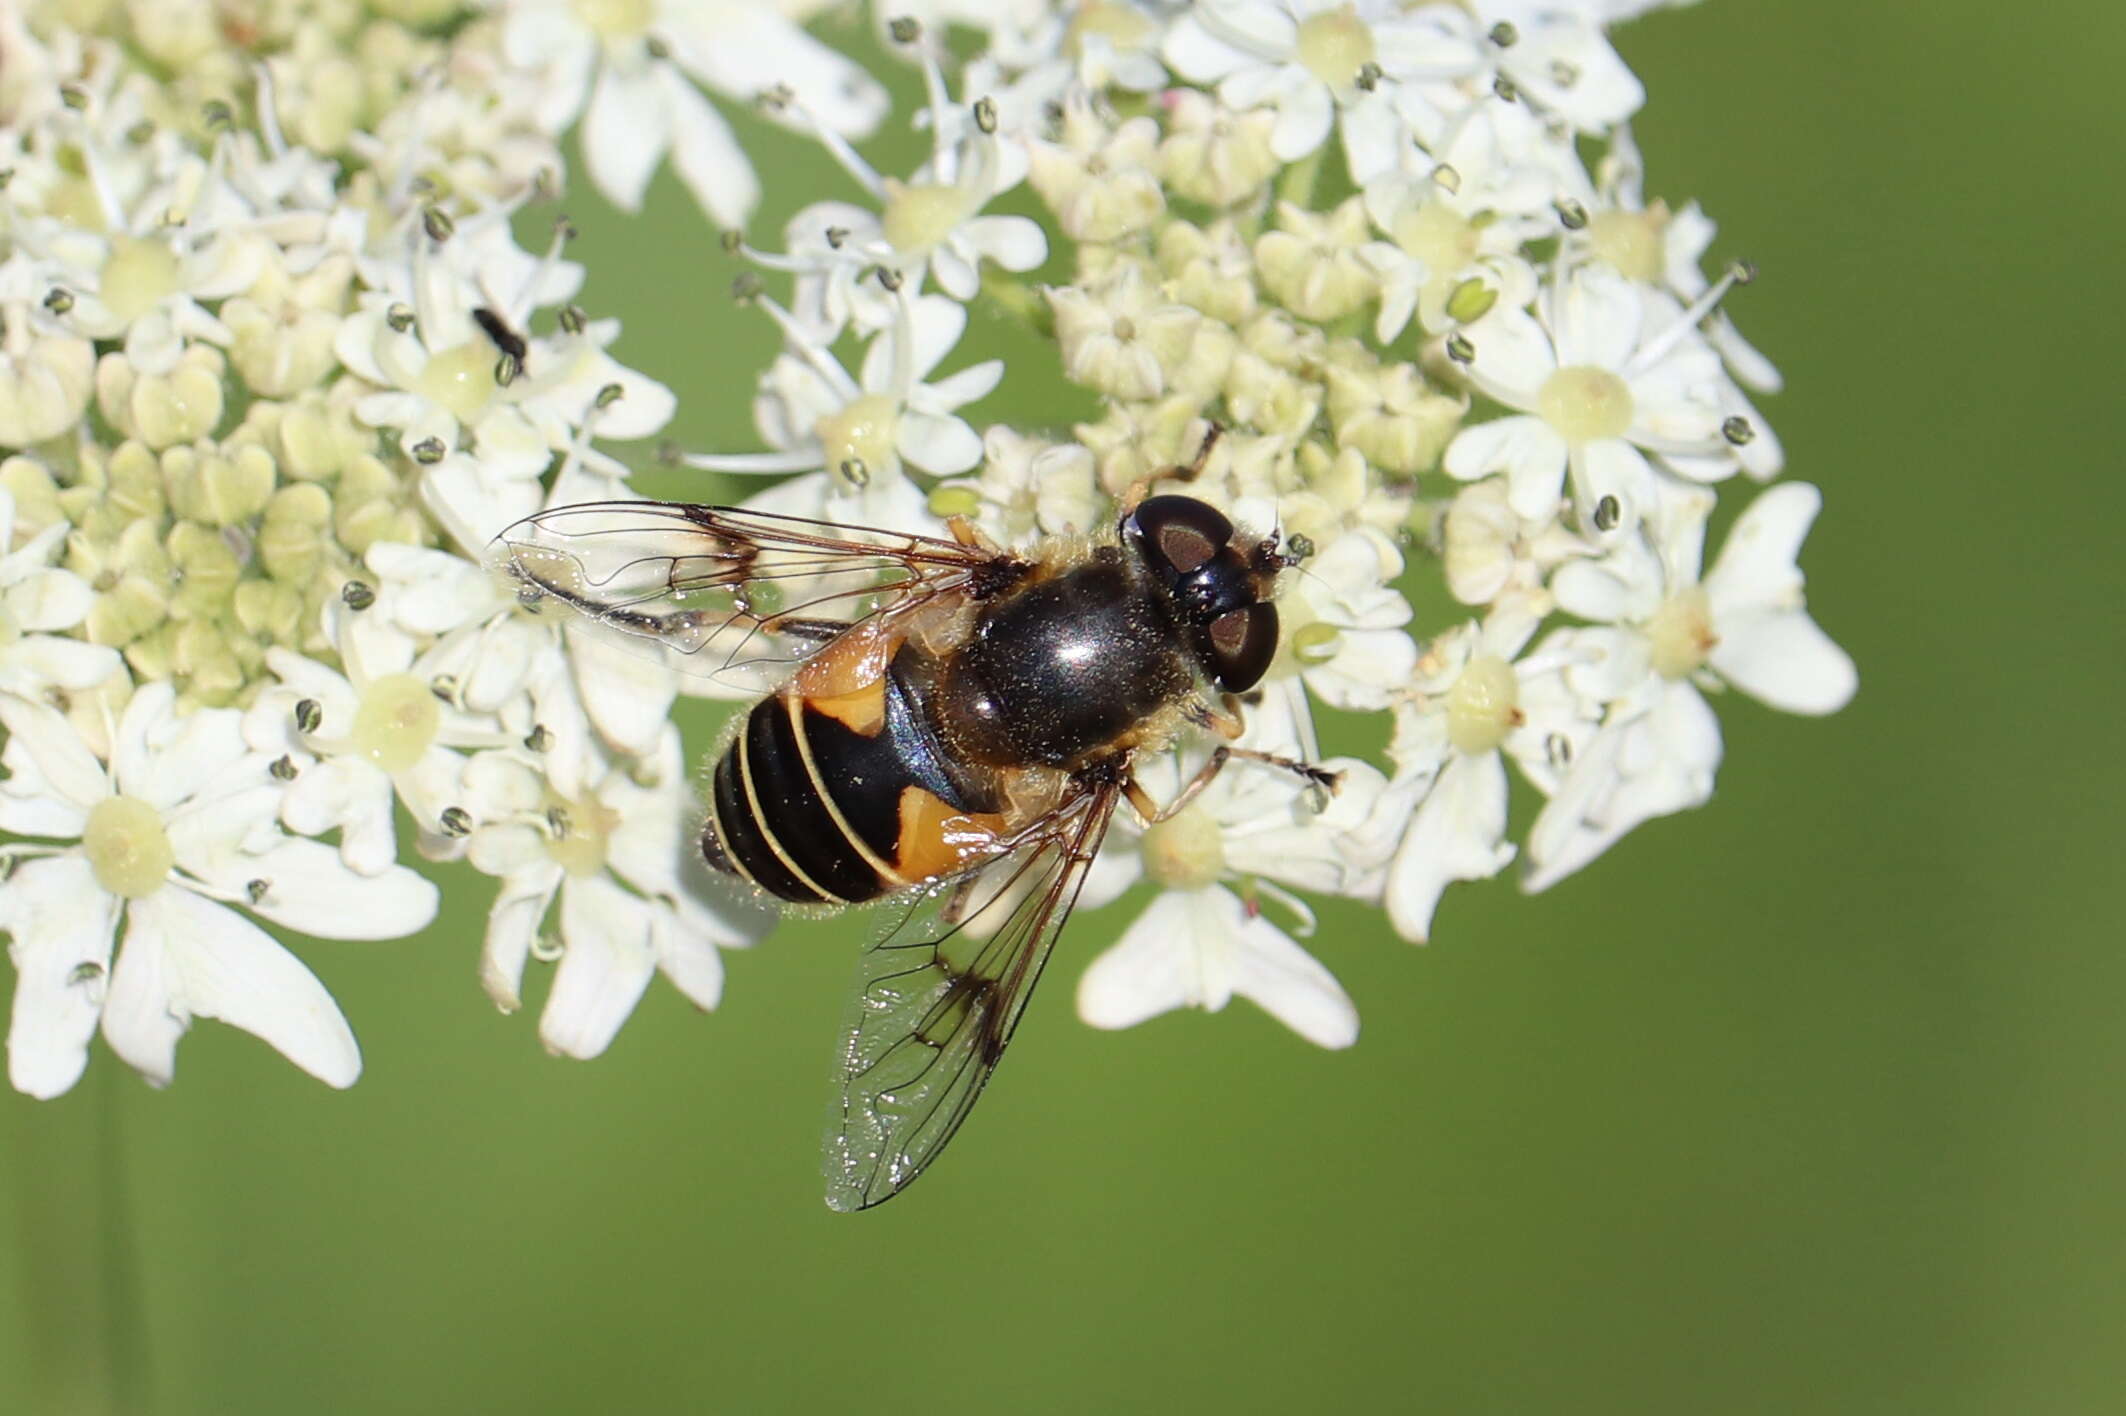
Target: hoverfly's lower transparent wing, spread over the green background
939, 1000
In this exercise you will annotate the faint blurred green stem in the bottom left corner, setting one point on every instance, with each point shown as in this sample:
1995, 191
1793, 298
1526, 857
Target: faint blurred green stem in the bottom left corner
80, 1283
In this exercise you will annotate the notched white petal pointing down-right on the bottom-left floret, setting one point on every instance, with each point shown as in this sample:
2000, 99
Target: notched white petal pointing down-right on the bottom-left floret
188, 958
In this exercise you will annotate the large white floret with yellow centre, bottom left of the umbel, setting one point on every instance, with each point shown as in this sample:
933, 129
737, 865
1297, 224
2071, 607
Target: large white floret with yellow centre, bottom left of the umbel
156, 847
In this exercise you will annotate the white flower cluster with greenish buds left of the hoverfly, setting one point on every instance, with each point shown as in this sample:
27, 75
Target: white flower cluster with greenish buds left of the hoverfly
273, 371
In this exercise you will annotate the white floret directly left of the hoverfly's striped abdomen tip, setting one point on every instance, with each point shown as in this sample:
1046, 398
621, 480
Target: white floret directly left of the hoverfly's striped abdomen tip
611, 841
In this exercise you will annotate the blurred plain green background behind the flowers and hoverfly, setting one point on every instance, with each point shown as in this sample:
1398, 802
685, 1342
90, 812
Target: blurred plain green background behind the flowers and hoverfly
1808, 1102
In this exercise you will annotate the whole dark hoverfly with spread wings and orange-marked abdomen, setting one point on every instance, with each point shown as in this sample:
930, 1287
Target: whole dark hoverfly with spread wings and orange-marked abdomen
943, 722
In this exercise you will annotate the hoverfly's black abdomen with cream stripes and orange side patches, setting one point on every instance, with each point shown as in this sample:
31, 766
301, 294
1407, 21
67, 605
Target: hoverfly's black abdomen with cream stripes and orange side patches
837, 792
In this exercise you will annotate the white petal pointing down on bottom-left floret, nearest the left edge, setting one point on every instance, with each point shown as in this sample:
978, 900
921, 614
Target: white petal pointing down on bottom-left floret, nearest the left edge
58, 926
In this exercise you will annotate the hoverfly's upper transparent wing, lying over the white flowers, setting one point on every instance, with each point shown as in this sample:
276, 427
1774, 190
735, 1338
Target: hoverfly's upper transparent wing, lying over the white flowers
720, 590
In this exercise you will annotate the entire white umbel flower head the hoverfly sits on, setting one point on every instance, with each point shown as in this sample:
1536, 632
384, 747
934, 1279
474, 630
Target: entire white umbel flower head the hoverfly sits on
1383, 280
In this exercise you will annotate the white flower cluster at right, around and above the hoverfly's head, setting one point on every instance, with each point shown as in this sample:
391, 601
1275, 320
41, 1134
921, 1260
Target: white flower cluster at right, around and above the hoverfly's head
1362, 241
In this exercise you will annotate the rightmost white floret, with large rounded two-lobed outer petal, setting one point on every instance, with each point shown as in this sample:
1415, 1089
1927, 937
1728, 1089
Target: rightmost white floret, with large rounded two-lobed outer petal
1661, 637
